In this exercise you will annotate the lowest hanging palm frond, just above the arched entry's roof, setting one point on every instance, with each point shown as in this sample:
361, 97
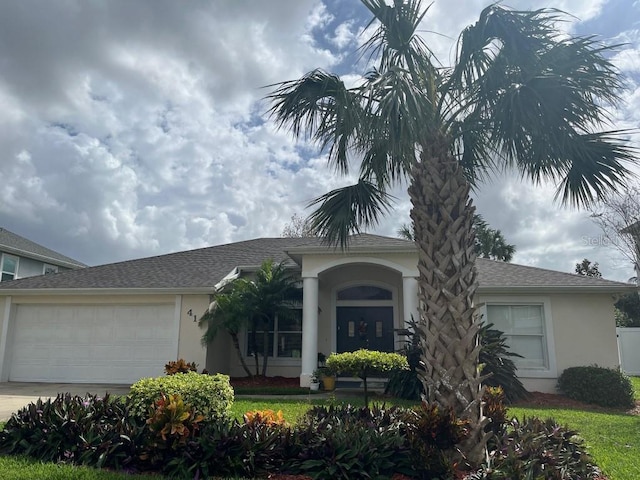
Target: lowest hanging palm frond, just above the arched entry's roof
344, 211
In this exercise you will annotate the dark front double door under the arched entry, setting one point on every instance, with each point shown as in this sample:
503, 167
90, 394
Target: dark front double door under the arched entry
364, 327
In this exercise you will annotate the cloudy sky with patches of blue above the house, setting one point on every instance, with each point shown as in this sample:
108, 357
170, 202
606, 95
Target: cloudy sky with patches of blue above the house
134, 129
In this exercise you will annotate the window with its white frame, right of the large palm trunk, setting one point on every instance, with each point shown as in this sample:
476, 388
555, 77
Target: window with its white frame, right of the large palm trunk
528, 328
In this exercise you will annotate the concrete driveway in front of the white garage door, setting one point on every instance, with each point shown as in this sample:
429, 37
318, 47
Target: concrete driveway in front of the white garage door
15, 395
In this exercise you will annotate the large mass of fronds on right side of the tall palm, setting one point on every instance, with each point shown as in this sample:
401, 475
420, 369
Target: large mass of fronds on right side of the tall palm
538, 97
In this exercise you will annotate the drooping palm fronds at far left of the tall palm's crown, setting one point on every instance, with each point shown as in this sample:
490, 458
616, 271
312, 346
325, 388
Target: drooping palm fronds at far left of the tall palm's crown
319, 106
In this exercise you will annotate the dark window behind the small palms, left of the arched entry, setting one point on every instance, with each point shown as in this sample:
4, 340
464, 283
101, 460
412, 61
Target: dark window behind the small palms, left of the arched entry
285, 337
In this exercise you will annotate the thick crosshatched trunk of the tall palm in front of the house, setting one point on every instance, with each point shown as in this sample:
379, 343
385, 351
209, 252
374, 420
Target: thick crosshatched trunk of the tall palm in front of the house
442, 215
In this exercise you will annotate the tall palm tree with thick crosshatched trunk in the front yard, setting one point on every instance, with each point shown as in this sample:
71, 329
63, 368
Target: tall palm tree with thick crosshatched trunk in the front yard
520, 95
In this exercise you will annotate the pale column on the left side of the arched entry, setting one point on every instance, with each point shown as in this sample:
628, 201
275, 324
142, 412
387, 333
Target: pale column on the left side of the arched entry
309, 329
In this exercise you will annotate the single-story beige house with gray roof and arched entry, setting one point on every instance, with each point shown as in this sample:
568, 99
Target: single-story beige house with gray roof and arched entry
115, 323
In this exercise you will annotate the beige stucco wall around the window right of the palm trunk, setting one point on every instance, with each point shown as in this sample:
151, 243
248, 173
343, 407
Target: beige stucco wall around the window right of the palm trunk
583, 332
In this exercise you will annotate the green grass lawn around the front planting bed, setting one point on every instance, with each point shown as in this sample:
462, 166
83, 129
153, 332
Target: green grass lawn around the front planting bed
612, 438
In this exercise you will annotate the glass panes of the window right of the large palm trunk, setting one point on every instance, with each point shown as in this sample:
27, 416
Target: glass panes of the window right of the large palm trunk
525, 329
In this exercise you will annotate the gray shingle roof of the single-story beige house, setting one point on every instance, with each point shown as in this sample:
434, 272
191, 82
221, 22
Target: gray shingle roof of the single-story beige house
205, 267
